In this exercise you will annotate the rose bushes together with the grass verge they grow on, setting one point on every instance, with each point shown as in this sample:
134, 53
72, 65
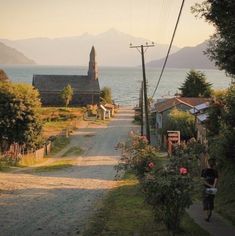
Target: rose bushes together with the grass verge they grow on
142, 203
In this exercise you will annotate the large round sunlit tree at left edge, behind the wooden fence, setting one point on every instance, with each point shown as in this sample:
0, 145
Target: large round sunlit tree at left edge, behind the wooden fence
19, 117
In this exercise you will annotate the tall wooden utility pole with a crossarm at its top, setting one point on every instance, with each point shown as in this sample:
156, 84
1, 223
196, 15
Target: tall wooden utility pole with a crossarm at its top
142, 51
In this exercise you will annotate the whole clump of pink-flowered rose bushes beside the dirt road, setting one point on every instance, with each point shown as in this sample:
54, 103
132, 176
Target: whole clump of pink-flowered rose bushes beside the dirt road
167, 189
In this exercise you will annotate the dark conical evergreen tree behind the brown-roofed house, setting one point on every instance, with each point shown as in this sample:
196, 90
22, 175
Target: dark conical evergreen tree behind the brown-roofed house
195, 85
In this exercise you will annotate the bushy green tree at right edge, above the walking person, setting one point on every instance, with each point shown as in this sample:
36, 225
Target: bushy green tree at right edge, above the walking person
221, 125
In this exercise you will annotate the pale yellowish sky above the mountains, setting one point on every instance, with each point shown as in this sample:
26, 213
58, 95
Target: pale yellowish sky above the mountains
150, 19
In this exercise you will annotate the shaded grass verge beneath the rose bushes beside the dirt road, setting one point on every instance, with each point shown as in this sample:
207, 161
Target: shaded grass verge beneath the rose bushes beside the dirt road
124, 212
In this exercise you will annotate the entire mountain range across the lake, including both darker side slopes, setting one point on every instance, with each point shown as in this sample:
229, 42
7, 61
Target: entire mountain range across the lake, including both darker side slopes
112, 49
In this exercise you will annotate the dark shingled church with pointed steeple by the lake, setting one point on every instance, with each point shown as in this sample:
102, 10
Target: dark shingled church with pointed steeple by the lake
86, 89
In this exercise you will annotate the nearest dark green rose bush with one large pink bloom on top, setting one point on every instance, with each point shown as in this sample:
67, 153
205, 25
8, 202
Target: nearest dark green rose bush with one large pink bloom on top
168, 190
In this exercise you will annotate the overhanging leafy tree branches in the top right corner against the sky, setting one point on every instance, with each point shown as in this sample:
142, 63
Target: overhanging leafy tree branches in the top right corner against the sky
222, 43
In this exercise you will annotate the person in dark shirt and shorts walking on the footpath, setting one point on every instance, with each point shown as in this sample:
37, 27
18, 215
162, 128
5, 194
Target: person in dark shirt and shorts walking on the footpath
210, 179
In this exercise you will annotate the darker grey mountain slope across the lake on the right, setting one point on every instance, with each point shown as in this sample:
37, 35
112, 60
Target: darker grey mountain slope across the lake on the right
187, 57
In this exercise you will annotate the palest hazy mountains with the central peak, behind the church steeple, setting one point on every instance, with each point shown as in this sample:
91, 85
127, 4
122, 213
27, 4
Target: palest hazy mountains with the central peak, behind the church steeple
112, 49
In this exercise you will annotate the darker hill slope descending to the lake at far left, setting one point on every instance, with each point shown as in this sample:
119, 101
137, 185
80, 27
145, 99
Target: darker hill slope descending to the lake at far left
11, 56
